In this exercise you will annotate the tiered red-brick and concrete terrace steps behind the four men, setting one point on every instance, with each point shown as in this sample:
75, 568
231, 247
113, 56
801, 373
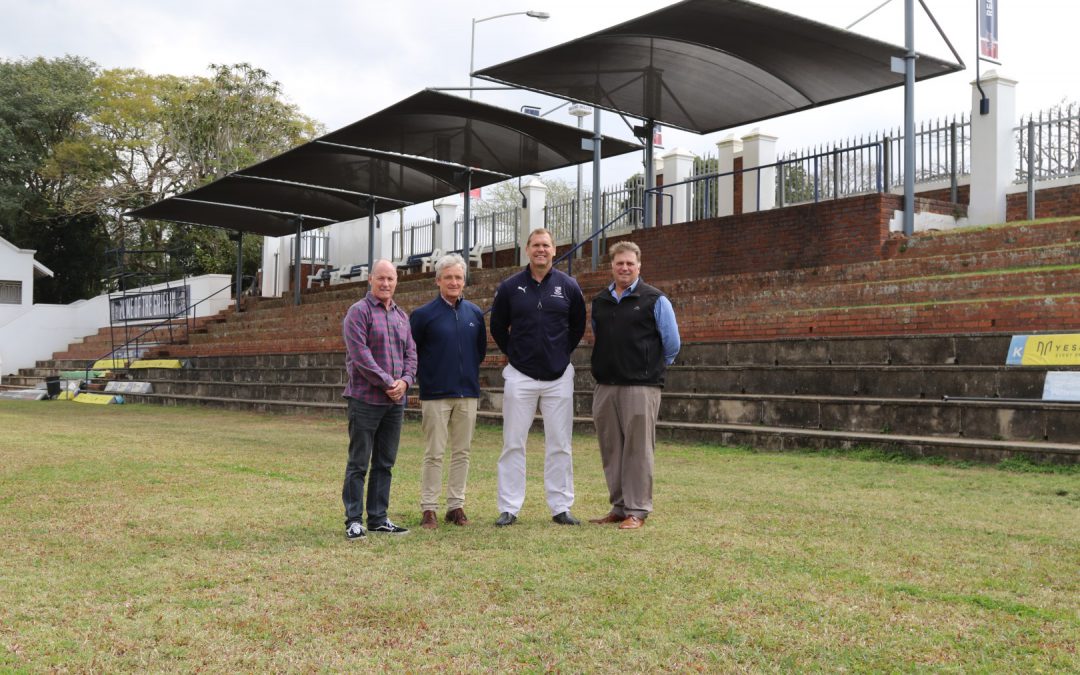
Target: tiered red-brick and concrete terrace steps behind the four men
870, 354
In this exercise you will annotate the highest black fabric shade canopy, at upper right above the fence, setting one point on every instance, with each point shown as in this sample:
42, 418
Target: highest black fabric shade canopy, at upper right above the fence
710, 65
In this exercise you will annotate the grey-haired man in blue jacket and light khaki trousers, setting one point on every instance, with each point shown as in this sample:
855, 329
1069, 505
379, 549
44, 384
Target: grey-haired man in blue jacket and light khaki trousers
451, 343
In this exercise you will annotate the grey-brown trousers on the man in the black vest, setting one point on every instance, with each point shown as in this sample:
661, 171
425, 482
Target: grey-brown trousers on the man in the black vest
626, 421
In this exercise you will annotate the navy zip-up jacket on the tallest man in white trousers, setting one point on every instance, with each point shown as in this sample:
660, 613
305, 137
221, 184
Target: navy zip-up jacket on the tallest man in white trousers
538, 325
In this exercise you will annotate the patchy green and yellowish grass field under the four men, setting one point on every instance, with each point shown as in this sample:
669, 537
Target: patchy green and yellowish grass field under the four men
138, 538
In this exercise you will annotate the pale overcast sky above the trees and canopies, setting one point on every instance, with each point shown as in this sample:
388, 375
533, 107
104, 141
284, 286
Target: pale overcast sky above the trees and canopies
343, 60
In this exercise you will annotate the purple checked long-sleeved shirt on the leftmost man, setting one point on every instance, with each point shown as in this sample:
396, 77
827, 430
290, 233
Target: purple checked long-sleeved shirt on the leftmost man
380, 349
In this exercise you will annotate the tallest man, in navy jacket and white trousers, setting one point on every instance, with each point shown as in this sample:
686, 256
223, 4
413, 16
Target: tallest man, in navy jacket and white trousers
538, 318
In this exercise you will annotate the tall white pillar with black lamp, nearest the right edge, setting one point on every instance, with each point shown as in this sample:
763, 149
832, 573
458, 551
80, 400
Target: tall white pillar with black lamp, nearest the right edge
993, 150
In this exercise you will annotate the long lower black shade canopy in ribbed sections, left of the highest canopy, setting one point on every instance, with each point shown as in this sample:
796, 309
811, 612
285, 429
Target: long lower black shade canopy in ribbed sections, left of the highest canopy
428, 146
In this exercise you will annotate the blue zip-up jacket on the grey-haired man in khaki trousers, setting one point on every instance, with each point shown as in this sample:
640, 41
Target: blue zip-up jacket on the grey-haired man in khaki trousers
451, 344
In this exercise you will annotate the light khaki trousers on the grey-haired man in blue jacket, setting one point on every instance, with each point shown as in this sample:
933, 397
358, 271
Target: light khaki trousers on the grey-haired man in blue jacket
448, 423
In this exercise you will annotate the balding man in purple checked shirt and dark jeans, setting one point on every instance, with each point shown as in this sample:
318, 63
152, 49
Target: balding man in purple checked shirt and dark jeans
381, 361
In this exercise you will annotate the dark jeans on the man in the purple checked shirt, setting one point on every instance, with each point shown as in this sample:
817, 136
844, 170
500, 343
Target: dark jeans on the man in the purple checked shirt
374, 433
